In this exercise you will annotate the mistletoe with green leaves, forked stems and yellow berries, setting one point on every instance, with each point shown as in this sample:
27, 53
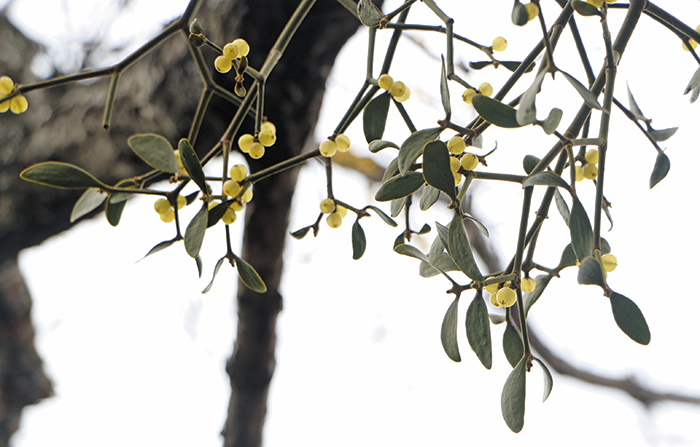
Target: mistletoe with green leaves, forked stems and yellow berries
425, 165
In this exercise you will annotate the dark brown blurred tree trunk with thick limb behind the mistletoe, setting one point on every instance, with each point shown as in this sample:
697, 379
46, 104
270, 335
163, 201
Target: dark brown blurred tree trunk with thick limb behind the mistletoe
159, 94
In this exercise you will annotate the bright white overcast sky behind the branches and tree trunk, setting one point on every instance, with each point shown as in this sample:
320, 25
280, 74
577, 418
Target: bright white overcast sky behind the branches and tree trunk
137, 354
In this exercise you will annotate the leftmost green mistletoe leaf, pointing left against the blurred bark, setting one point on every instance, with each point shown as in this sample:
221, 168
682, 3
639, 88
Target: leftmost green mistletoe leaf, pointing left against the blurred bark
61, 175
